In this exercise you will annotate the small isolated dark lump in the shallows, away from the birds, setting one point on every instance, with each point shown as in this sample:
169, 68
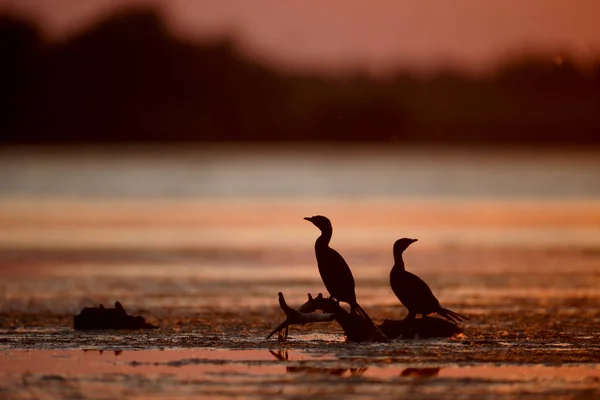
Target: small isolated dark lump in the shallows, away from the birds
108, 318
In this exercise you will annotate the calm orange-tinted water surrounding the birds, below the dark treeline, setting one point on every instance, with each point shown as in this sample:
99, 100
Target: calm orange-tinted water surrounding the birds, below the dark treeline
200, 240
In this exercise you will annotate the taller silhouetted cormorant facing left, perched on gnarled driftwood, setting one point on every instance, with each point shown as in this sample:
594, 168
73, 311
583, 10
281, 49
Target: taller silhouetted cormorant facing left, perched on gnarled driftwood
334, 270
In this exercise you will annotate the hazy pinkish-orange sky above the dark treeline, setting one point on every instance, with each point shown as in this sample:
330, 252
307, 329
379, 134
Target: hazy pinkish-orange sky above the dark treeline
375, 34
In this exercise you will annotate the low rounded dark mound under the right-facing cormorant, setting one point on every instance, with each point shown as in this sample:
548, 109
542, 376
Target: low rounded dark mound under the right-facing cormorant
427, 327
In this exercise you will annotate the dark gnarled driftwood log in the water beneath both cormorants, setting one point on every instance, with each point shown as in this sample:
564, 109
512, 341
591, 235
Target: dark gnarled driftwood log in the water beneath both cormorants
359, 329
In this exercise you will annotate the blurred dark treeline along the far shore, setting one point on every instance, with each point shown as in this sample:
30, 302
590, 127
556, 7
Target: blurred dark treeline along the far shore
129, 79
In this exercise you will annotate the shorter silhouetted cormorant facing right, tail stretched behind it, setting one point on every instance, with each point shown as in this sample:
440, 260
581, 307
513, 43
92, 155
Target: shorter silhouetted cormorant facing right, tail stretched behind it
412, 291
